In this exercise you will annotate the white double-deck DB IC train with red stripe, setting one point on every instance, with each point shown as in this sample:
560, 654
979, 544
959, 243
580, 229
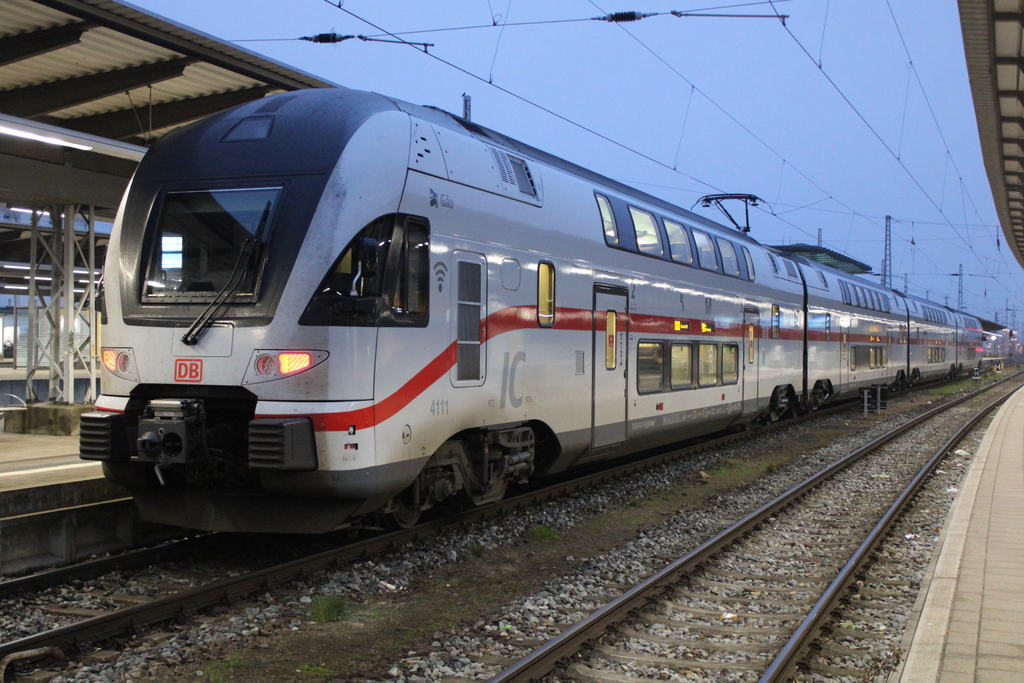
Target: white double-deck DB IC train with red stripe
330, 309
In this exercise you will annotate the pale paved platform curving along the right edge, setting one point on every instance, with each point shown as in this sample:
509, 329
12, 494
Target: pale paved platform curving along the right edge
971, 624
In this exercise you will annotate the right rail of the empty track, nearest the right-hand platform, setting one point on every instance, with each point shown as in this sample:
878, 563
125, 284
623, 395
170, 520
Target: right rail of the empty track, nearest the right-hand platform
790, 657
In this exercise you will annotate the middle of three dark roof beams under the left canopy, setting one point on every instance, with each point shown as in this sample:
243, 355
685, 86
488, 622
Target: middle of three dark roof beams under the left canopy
35, 101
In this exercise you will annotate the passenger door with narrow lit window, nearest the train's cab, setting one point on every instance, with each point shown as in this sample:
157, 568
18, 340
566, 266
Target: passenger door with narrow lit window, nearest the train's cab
612, 324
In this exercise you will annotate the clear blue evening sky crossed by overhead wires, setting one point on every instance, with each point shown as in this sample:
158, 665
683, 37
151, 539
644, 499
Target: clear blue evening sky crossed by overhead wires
710, 104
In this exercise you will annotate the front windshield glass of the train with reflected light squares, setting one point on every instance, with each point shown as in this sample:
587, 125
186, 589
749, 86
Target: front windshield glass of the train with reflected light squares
208, 241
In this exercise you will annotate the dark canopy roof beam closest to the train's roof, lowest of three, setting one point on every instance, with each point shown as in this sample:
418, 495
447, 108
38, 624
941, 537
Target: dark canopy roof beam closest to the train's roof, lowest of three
130, 123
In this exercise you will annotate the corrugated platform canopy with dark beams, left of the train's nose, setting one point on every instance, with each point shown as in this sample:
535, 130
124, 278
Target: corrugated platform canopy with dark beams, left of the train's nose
87, 86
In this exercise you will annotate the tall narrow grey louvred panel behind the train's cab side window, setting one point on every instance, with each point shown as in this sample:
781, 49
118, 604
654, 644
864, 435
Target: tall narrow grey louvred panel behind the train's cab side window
470, 306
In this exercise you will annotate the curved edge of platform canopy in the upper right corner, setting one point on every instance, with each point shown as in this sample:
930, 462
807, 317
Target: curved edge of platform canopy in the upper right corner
994, 45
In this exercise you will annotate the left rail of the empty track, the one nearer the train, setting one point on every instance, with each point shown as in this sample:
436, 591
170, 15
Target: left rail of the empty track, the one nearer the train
549, 656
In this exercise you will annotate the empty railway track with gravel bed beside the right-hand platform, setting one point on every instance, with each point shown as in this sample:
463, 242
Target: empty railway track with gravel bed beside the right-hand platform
747, 605
